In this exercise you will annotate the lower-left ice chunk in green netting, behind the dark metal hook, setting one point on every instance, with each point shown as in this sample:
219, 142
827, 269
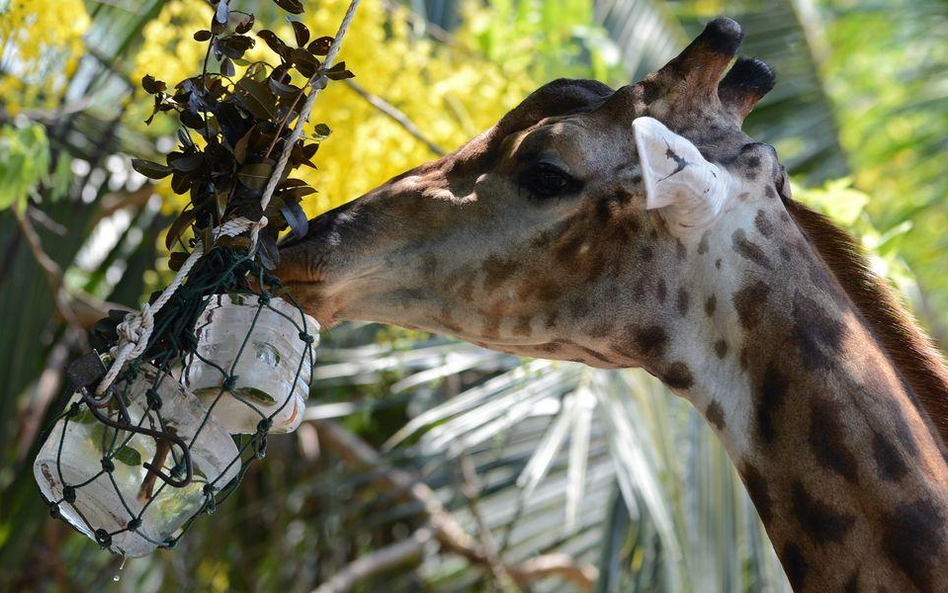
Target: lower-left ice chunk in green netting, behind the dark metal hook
130, 469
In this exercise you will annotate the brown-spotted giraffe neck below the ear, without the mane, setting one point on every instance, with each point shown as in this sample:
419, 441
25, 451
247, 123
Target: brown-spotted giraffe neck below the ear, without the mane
843, 467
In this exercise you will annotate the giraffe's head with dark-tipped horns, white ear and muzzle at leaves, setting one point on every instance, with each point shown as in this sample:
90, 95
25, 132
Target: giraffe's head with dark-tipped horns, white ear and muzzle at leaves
562, 232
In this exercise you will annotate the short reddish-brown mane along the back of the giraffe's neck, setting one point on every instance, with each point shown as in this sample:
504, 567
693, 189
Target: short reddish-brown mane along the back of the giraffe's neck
912, 352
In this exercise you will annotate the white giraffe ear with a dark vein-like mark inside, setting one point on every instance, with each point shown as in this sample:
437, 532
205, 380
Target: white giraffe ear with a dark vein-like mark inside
688, 190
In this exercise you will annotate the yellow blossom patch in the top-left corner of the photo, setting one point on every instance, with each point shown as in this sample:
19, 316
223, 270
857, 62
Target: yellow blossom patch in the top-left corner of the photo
39, 50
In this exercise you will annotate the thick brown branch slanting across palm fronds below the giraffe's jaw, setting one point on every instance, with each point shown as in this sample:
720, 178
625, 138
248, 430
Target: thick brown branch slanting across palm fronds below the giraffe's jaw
446, 529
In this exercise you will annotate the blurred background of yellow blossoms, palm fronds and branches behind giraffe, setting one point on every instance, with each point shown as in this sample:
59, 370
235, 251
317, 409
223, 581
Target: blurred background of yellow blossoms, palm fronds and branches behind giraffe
427, 464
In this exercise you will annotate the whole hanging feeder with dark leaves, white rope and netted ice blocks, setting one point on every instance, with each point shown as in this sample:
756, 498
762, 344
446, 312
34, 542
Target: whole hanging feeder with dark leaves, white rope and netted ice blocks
198, 378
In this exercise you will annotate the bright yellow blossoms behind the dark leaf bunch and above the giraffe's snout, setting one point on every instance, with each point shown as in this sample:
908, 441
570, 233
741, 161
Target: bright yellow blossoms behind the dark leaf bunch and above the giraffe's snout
449, 92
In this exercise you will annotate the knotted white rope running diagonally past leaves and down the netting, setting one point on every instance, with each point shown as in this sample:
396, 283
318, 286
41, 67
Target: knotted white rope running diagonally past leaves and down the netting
136, 328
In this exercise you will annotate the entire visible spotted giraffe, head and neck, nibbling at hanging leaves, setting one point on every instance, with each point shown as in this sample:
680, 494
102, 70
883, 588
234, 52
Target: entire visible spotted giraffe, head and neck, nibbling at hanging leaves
641, 227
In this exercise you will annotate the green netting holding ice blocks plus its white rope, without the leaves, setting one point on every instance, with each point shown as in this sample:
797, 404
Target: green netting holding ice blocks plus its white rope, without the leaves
164, 427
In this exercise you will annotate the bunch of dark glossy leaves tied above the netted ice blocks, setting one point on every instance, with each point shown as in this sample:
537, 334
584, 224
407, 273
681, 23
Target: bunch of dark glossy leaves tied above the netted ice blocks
242, 124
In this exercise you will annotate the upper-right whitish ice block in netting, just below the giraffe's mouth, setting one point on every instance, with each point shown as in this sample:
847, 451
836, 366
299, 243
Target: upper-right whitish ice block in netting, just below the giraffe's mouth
253, 362
